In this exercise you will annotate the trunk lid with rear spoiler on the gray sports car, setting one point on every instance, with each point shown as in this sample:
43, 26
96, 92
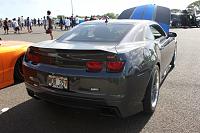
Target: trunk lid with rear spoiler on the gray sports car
72, 55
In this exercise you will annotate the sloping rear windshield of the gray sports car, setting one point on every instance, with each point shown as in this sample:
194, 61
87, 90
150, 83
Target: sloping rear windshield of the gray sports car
97, 33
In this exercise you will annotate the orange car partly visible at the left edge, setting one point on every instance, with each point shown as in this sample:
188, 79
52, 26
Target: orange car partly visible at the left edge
11, 55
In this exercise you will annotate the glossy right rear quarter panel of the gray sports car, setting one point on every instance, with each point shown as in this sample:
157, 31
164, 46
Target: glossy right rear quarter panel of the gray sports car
140, 60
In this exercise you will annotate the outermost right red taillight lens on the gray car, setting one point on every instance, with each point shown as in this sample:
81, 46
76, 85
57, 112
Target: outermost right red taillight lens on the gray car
116, 66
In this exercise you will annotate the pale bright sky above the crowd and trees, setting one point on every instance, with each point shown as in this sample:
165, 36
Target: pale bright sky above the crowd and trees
38, 8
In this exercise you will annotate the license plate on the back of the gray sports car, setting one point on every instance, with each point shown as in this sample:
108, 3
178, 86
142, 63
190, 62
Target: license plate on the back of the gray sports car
57, 82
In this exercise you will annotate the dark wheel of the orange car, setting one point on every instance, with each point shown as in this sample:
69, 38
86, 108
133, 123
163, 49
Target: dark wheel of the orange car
18, 73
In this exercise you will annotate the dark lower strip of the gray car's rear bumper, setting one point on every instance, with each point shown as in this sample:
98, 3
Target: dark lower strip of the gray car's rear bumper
119, 108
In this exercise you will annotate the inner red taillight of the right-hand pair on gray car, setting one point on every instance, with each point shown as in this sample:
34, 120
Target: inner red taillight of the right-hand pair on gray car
94, 66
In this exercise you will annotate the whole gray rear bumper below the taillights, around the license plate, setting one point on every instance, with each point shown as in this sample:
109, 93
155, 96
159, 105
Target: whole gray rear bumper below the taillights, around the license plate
122, 94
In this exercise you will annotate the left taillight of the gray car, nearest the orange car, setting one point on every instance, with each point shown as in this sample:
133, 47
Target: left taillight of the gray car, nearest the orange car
32, 57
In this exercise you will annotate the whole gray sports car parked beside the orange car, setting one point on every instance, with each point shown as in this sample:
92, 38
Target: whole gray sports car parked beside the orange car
116, 66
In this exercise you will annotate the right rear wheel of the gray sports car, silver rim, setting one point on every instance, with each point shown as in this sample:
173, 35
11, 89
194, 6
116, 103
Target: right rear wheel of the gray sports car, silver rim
152, 92
